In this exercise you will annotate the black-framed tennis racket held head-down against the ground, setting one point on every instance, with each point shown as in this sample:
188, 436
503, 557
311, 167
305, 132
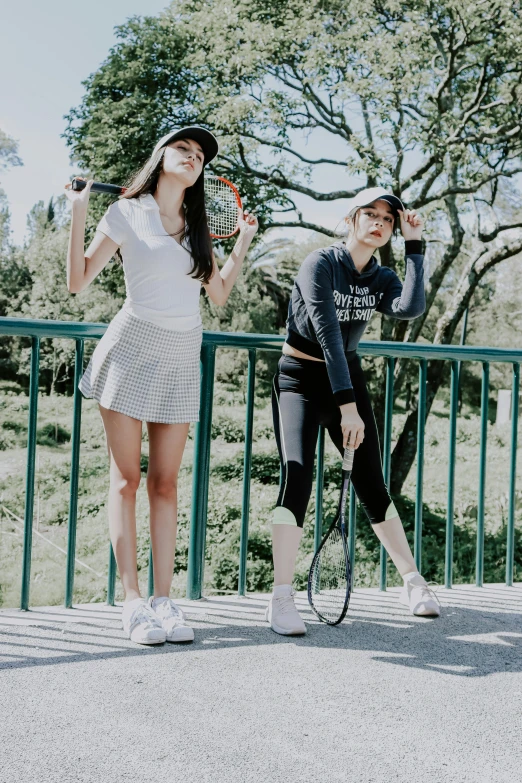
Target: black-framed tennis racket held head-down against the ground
330, 576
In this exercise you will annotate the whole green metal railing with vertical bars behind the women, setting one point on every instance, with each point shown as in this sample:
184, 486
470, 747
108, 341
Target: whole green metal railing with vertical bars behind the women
38, 330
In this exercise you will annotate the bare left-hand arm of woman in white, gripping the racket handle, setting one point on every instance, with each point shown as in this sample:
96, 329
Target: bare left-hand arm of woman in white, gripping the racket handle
83, 266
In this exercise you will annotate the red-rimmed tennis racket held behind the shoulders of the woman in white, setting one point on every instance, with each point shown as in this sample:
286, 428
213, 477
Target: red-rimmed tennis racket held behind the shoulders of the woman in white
222, 202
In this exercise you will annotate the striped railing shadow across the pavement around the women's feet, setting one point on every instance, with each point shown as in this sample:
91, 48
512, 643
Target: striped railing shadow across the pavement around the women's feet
478, 634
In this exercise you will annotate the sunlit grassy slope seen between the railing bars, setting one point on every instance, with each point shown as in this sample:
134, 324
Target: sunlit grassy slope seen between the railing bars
52, 501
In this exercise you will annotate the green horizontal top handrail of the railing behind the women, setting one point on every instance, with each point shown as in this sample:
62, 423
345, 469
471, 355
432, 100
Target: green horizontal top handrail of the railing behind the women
42, 328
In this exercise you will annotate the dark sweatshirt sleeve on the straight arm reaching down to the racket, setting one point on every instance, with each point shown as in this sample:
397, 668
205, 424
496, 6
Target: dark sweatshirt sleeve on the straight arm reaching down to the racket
316, 285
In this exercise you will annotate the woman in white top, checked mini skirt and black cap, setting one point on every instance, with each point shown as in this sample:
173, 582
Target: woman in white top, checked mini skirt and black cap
146, 366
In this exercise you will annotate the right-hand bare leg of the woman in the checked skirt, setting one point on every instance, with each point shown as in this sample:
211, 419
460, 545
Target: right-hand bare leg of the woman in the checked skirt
166, 445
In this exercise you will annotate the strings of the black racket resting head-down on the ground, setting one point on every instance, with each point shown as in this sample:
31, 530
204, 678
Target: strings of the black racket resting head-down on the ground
328, 579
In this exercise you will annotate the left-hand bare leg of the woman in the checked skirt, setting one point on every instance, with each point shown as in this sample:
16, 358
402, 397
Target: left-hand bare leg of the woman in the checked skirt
123, 435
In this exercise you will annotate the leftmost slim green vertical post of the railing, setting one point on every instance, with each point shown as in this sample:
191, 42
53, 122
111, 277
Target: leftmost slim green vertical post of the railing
29, 475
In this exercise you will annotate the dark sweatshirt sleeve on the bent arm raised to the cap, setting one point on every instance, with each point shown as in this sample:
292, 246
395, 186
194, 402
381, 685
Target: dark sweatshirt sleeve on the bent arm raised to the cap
406, 301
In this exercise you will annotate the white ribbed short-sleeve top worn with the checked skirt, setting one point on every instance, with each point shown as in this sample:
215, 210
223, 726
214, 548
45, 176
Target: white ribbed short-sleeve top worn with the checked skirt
157, 269
